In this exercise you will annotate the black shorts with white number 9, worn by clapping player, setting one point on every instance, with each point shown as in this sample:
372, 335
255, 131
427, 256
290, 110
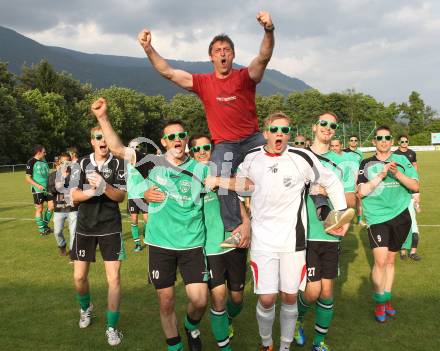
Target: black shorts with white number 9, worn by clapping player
392, 233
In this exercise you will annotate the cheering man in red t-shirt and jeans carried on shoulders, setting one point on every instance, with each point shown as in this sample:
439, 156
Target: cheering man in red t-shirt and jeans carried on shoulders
228, 96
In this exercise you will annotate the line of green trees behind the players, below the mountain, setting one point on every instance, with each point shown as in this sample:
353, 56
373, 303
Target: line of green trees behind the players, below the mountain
53, 108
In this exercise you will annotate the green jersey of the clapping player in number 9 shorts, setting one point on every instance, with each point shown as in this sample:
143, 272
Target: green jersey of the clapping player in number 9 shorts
390, 198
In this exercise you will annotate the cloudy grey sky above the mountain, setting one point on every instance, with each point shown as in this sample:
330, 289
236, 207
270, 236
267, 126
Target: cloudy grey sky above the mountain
385, 48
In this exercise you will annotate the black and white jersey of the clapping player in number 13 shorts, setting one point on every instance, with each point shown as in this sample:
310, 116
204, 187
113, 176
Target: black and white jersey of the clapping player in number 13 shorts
99, 215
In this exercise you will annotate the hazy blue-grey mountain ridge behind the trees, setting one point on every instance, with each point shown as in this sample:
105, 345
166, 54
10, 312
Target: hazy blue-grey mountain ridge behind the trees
105, 70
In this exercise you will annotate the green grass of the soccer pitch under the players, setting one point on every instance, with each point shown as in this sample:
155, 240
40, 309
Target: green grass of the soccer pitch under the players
39, 310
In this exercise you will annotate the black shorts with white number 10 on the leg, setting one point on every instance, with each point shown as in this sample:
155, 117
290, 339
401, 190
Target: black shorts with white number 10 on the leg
163, 263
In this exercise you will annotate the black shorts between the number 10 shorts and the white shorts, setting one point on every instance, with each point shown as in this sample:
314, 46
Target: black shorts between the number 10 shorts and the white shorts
229, 267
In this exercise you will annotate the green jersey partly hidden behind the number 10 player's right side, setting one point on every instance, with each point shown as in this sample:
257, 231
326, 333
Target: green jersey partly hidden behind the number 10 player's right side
215, 231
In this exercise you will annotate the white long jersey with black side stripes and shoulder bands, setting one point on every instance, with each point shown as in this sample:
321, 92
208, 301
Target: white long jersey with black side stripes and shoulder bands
278, 209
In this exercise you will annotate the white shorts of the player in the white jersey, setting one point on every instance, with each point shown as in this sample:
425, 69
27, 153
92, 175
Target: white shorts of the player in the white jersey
278, 271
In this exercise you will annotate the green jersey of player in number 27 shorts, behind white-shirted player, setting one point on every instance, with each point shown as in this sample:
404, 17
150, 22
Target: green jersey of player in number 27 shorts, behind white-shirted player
337, 163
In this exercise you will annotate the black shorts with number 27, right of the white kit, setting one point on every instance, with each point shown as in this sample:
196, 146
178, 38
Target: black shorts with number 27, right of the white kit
322, 260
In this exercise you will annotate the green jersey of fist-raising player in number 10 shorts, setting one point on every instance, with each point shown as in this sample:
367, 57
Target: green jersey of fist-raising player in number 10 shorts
177, 222
